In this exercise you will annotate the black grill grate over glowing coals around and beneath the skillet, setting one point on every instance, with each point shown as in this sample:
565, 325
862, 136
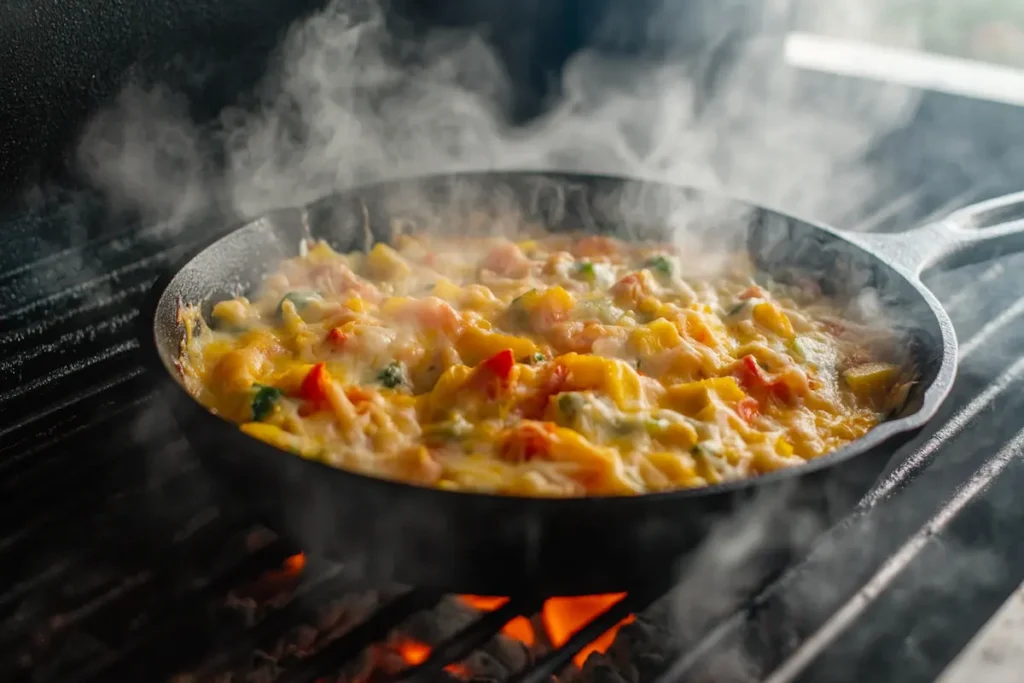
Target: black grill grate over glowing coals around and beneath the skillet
119, 562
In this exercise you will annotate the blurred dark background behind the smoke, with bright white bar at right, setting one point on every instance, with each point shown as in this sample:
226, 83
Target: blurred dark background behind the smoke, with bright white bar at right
62, 64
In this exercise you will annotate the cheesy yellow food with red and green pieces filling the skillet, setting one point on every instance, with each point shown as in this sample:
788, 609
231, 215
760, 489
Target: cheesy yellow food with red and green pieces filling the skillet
566, 366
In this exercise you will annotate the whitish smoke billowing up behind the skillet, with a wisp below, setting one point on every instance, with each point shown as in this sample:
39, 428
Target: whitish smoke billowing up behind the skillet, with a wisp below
351, 103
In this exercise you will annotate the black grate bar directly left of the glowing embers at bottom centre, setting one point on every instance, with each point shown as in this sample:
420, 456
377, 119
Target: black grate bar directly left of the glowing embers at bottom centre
374, 629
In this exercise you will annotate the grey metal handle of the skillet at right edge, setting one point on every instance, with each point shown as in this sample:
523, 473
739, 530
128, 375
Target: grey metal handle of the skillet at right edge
978, 233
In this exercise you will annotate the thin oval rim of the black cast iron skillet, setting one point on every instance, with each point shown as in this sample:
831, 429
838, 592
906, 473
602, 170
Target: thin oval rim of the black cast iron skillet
935, 394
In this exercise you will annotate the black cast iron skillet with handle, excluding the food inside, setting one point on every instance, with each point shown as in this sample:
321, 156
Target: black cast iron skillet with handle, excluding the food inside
495, 545
